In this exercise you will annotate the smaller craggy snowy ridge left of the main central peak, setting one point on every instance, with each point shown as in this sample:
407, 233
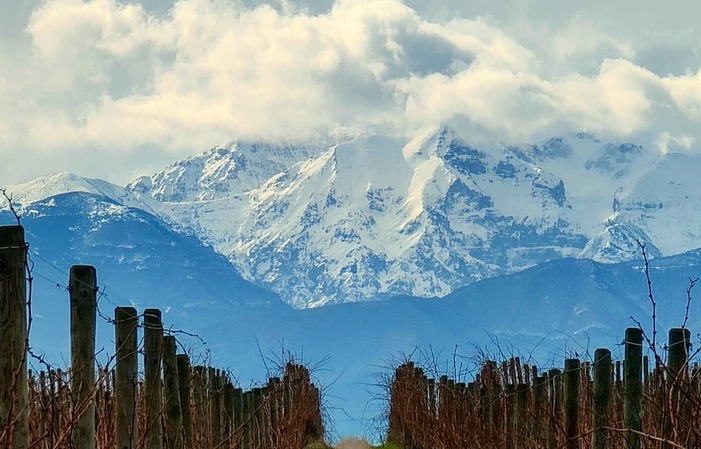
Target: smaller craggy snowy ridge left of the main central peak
208, 194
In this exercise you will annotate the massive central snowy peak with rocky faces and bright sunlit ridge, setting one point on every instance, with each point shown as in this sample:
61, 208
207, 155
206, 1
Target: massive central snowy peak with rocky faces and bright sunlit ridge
383, 216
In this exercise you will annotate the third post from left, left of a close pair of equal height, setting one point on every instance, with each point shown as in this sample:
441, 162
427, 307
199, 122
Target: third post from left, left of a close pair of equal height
126, 377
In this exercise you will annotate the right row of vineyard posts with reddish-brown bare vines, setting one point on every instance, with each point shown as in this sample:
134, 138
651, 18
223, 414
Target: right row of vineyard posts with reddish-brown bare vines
600, 404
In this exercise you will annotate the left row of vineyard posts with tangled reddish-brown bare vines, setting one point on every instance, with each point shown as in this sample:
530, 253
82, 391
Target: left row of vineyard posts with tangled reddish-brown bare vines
172, 406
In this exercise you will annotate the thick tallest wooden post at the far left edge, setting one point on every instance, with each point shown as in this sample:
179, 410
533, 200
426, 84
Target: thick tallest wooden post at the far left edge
14, 387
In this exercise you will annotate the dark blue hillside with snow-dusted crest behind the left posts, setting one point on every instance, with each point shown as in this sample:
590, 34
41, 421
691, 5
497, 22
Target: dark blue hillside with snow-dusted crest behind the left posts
141, 260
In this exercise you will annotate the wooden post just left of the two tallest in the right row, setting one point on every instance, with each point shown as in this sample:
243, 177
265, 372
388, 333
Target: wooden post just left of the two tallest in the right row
602, 396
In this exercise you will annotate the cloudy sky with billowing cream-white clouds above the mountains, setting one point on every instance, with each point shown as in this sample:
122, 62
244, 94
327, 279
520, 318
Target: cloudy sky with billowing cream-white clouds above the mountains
116, 89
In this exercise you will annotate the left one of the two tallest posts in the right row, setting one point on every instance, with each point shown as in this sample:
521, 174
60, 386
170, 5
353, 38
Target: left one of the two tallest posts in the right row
633, 386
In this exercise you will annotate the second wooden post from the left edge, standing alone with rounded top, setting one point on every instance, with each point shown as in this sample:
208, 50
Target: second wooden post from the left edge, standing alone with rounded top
83, 289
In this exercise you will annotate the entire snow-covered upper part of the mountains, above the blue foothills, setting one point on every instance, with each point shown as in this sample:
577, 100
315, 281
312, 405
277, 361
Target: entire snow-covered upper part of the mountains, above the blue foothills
422, 215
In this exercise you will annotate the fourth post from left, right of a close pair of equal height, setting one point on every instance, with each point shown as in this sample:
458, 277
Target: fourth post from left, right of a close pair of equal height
153, 353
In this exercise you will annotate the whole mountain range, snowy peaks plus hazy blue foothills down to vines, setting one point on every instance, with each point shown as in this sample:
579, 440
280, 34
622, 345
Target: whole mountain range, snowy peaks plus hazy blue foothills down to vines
411, 245
